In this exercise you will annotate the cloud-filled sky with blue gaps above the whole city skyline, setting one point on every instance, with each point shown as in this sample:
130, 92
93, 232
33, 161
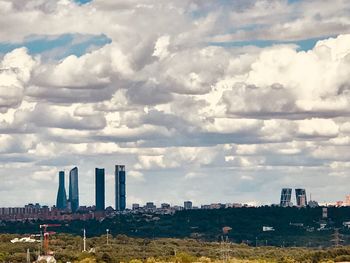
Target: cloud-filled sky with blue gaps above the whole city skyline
210, 101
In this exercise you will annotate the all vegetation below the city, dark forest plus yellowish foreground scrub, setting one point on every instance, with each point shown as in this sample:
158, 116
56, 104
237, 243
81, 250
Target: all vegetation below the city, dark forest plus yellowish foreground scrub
192, 236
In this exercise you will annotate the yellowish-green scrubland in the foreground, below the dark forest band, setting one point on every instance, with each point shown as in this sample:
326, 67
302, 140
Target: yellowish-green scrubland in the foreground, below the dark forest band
136, 250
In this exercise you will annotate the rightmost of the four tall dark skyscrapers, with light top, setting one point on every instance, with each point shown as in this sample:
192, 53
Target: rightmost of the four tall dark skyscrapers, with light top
120, 194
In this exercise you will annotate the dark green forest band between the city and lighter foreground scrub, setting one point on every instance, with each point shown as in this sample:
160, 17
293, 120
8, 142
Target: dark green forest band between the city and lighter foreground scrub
293, 227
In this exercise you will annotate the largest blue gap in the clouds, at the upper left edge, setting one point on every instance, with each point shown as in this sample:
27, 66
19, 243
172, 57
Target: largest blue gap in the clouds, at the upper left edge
58, 47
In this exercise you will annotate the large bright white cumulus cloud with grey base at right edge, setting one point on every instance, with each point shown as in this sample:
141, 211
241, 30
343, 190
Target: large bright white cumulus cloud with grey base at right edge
277, 85
